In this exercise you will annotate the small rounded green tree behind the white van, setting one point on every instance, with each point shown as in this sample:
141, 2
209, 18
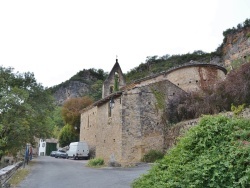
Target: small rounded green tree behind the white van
67, 135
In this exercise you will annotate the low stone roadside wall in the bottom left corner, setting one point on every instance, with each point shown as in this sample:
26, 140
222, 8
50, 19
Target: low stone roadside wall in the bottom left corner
7, 172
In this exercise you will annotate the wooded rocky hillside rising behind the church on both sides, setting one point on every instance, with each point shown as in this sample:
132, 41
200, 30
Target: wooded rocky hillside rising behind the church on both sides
234, 51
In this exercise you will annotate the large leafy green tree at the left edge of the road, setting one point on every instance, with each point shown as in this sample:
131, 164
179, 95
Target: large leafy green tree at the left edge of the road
24, 110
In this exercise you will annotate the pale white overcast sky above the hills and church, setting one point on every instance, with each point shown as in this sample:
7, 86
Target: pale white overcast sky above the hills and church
55, 39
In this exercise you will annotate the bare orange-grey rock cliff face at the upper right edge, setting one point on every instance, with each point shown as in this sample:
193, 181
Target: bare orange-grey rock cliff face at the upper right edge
236, 48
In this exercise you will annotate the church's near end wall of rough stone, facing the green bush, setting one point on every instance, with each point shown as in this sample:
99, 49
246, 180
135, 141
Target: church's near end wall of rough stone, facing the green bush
143, 129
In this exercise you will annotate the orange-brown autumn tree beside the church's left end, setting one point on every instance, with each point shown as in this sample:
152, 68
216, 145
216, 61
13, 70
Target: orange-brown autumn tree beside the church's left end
71, 110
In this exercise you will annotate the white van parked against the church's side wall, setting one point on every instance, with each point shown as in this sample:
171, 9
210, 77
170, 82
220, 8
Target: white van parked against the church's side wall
78, 150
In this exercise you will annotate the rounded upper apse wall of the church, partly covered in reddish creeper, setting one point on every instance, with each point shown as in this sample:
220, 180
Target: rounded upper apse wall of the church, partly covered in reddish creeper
190, 77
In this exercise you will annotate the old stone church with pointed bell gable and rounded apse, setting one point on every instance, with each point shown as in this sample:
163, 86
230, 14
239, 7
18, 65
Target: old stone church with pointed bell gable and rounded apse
126, 123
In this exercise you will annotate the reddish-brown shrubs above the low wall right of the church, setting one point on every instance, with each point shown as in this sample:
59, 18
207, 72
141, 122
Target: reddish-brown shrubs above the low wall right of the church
235, 89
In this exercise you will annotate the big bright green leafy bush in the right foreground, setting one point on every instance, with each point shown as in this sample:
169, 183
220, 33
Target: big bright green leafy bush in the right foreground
215, 153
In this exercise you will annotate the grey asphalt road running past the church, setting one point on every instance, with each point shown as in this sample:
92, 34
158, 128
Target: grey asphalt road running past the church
49, 172
